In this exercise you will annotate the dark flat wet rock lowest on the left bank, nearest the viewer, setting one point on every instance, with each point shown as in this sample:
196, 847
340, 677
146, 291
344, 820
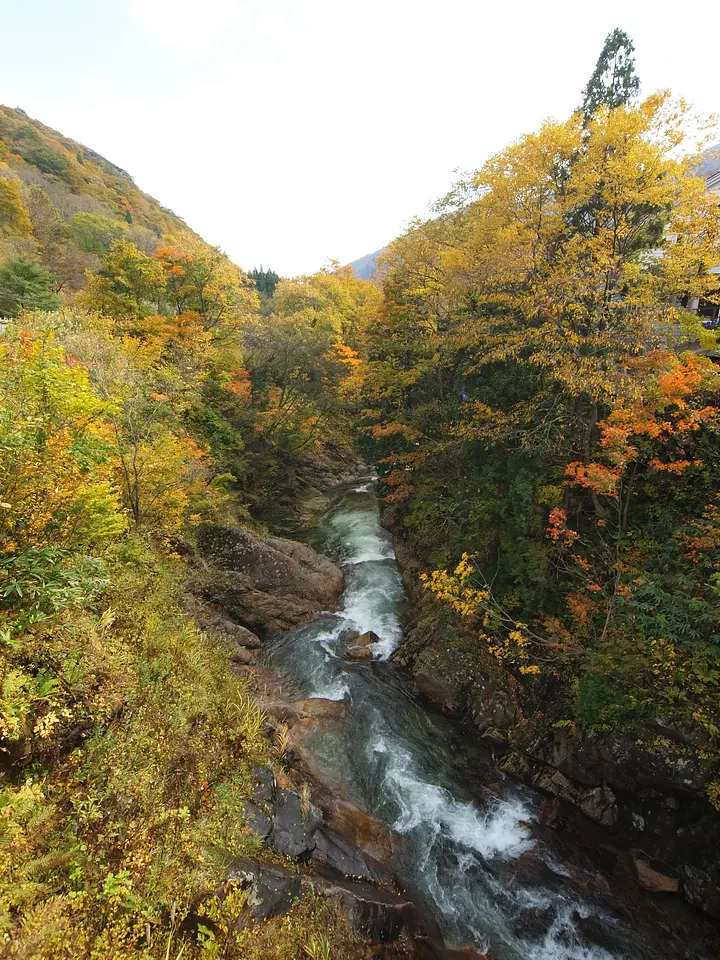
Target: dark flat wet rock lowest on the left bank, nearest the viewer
378, 914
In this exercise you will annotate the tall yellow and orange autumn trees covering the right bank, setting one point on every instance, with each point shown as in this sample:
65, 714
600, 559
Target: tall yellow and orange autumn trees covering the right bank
538, 396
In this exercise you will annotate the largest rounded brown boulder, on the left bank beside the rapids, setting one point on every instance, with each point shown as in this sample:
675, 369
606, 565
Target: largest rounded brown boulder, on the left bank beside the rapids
267, 584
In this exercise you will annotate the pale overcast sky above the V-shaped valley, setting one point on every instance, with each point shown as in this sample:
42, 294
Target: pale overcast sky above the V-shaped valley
293, 131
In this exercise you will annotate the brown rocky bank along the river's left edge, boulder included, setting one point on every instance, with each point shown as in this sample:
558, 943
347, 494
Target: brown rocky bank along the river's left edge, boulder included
243, 588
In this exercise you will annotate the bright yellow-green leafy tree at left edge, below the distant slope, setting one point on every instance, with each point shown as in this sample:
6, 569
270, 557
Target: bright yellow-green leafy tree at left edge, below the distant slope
56, 451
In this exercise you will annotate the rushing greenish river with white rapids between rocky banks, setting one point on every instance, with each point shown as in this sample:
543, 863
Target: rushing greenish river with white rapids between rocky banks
485, 866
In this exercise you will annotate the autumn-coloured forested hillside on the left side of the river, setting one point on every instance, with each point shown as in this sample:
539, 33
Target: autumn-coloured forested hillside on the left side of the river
143, 394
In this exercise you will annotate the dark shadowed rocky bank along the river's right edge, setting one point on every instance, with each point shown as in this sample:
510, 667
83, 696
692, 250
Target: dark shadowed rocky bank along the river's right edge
647, 788
